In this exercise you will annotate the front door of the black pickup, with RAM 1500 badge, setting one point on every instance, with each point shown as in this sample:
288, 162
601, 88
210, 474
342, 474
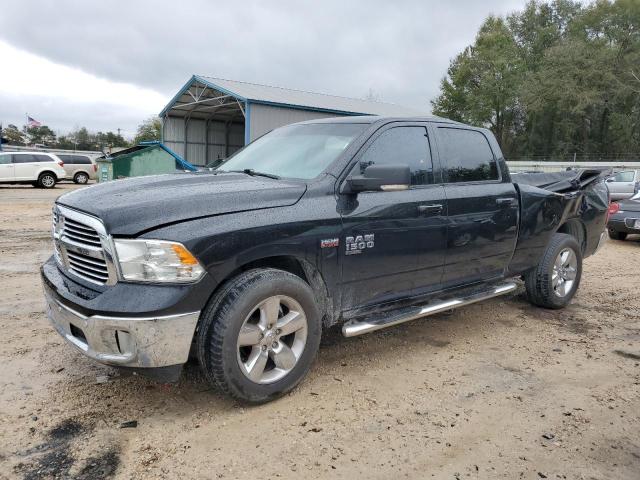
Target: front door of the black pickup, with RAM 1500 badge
393, 242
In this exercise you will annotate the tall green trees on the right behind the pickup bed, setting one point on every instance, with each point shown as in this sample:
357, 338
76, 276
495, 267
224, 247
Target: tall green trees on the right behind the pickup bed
554, 80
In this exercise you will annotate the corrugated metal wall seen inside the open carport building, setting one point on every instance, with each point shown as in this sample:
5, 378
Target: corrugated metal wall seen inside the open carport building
196, 147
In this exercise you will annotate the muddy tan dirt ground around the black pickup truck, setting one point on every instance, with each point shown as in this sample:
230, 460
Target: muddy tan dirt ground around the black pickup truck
496, 390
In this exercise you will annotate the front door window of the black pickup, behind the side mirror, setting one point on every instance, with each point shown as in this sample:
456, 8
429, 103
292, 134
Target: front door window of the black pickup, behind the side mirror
402, 145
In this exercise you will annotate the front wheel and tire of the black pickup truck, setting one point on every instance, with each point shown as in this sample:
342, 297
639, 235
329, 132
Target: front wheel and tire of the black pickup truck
247, 304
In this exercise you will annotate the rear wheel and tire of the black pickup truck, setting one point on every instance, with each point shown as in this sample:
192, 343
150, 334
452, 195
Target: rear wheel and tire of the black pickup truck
553, 286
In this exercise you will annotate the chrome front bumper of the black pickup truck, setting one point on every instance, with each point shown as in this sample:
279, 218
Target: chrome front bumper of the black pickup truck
158, 338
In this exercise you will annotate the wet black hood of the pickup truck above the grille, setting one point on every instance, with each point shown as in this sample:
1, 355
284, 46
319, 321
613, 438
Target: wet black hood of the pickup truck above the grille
131, 206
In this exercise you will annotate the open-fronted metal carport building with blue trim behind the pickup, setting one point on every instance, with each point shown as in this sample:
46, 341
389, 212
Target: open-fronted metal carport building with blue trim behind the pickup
211, 118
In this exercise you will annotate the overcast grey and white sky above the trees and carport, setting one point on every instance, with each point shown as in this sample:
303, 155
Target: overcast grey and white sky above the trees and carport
108, 65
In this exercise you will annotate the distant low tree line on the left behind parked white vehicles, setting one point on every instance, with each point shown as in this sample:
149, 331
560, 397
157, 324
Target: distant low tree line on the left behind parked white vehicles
80, 138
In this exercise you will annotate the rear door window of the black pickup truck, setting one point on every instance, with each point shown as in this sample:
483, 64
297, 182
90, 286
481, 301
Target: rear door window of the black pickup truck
467, 156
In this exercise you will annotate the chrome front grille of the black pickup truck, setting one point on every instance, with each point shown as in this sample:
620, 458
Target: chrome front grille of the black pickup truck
82, 247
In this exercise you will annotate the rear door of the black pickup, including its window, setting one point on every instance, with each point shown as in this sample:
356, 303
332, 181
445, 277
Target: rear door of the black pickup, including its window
482, 208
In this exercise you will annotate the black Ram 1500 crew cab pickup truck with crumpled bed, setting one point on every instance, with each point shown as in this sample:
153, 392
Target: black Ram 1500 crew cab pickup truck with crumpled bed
365, 222
